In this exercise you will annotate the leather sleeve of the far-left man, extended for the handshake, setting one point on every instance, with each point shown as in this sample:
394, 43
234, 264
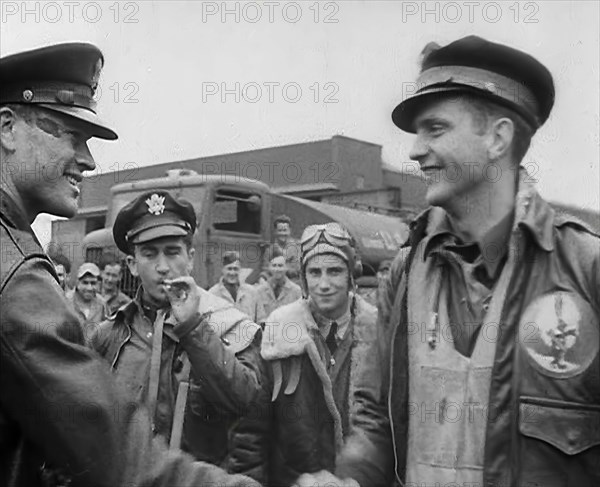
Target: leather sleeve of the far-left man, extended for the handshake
63, 397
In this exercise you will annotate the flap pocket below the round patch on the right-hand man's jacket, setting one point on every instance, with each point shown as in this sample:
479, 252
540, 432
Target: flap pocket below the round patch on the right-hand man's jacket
570, 427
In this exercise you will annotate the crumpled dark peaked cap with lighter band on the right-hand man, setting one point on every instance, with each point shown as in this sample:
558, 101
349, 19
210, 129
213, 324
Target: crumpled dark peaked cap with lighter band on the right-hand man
474, 65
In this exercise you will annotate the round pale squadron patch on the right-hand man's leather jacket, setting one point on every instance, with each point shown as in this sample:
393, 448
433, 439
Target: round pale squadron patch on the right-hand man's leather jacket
559, 332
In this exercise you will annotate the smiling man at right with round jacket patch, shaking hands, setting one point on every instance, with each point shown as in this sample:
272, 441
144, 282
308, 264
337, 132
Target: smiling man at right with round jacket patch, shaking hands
488, 355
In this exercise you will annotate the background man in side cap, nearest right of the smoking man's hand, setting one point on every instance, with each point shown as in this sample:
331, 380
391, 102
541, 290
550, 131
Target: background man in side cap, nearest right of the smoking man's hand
230, 288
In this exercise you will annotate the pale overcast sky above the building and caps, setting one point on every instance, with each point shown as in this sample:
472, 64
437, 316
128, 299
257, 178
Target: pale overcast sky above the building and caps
297, 72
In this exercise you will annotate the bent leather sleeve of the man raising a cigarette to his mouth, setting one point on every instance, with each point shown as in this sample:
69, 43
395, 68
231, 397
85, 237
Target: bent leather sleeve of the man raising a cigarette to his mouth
231, 380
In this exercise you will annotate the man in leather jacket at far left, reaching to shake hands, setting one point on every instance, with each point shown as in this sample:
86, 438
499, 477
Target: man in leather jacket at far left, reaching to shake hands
63, 418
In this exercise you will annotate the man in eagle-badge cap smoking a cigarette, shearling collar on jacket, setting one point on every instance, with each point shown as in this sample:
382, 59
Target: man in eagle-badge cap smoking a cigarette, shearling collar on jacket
190, 356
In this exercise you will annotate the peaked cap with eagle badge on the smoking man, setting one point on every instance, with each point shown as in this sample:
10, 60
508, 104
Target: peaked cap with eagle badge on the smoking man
153, 215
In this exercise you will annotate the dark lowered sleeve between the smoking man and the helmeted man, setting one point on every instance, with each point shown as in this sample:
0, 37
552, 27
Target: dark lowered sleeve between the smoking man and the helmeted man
248, 446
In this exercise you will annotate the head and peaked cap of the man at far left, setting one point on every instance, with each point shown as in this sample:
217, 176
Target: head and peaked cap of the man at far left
48, 115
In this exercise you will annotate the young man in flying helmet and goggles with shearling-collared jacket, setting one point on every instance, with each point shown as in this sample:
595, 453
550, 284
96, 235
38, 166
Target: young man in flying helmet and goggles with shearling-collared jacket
315, 348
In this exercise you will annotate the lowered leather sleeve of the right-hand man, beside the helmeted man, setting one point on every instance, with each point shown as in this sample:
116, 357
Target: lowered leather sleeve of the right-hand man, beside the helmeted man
367, 456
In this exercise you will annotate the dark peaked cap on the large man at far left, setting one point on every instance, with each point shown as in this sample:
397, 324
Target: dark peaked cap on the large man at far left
63, 78
